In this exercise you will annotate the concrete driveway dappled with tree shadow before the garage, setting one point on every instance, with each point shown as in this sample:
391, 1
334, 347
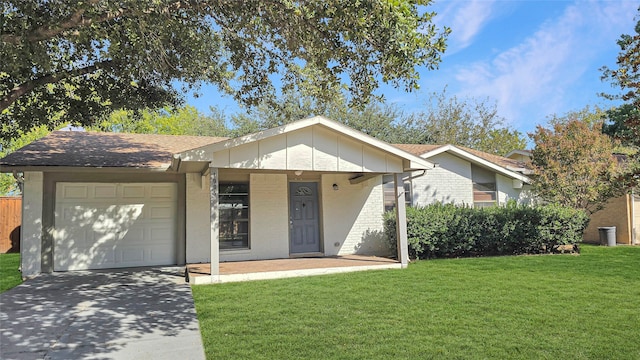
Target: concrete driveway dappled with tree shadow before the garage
144, 313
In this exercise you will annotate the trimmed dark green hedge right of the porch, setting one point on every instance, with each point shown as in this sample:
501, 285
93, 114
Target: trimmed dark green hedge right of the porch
445, 231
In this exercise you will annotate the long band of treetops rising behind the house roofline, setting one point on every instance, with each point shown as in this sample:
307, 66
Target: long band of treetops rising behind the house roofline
467, 123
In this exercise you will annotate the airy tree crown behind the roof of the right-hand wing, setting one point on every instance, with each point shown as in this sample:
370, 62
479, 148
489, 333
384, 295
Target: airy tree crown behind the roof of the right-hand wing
467, 122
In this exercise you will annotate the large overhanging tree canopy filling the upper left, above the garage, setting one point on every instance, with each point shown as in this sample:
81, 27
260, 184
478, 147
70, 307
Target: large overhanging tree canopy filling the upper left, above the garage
84, 59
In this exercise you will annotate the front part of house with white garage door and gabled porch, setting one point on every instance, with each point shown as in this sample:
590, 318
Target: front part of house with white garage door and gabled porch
107, 200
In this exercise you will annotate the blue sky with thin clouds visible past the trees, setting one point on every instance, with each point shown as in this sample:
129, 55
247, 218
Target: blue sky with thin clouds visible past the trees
530, 58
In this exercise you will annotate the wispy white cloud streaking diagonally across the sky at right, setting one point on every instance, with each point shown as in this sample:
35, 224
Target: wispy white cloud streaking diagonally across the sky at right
539, 73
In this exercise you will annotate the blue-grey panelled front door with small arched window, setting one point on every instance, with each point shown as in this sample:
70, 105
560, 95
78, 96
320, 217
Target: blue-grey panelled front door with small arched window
304, 230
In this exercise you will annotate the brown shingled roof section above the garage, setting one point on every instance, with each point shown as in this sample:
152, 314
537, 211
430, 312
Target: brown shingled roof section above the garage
102, 149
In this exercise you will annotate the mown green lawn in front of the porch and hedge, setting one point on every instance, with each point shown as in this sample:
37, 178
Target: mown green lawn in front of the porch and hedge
526, 307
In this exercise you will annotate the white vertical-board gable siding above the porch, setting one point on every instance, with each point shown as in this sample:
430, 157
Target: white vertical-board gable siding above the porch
310, 149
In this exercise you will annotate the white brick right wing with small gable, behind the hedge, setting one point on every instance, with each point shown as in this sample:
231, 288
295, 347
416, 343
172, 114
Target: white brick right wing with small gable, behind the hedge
464, 176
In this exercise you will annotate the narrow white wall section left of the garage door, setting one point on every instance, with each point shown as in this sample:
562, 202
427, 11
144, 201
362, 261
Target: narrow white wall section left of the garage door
31, 231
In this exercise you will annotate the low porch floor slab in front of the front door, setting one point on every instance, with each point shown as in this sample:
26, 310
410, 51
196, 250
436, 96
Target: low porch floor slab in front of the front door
236, 271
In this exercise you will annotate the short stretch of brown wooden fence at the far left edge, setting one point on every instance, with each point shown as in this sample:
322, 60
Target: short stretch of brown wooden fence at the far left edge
10, 221
